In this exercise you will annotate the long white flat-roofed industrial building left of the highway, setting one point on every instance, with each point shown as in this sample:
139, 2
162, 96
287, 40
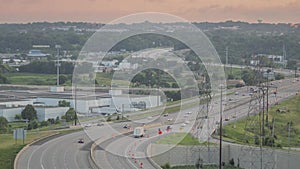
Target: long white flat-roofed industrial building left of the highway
12, 102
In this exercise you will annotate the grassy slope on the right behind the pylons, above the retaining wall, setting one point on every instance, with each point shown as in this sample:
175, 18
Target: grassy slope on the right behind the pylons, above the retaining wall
247, 130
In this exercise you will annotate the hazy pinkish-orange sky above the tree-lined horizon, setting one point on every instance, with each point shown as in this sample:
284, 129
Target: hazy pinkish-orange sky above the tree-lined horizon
104, 11
